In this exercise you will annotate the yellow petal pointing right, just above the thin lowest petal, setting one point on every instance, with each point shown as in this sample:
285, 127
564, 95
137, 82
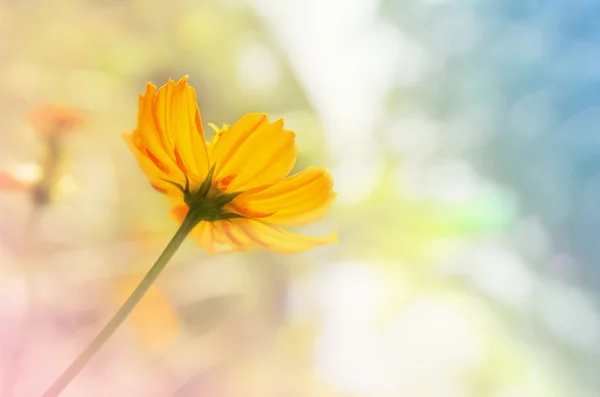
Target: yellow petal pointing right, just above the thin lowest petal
297, 200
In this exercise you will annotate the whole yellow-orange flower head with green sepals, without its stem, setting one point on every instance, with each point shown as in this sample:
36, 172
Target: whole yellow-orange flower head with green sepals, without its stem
238, 184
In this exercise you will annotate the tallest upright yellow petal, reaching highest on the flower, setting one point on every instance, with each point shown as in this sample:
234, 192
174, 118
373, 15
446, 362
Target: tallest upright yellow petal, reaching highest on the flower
178, 123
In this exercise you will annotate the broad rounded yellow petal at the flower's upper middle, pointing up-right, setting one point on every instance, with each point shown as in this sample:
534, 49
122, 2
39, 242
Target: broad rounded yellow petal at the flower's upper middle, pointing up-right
253, 152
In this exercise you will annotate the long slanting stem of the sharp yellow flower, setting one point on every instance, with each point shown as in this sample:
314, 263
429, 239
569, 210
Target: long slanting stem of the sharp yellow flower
76, 366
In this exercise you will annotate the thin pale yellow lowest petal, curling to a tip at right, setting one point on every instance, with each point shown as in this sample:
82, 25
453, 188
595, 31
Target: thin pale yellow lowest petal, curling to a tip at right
274, 239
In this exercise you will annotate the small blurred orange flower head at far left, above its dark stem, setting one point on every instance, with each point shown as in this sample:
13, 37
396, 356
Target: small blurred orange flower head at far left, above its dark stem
53, 119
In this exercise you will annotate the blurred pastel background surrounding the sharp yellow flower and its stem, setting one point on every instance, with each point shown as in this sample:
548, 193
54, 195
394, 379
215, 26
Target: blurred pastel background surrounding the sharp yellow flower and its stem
464, 137
